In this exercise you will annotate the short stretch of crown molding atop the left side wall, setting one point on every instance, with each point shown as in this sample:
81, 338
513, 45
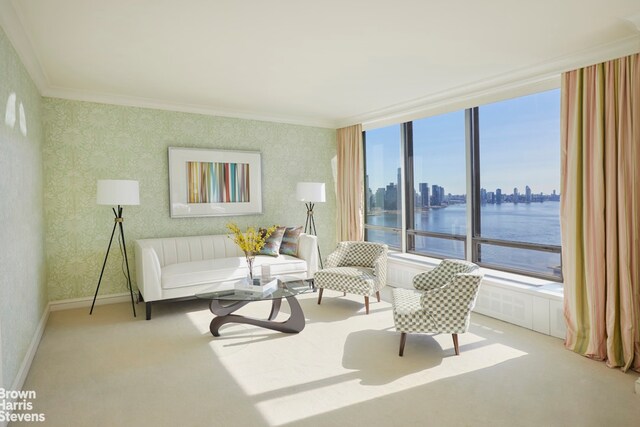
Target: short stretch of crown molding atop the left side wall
11, 22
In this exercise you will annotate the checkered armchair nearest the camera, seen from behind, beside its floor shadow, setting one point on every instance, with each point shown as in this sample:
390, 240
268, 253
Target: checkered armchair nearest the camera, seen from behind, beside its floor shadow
440, 303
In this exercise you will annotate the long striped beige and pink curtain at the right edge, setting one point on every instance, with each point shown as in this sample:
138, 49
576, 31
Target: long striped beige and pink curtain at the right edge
600, 211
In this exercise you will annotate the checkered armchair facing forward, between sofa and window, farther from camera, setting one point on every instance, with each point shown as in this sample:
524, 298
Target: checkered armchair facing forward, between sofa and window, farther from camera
355, 267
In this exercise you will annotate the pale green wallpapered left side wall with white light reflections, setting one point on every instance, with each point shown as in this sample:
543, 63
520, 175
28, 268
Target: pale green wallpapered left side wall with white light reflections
23, 292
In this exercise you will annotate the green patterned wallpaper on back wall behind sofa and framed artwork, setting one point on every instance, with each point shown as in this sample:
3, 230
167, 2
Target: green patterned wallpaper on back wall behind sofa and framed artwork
85, 142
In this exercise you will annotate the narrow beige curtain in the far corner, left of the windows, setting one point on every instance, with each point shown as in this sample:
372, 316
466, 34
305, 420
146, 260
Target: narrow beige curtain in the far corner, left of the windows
350, 191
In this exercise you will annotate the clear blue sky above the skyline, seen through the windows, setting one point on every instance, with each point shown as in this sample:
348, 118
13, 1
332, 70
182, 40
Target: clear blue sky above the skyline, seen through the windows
519, 146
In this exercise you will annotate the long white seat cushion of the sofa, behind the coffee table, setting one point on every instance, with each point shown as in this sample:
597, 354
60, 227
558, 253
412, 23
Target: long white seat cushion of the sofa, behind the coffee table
226, 269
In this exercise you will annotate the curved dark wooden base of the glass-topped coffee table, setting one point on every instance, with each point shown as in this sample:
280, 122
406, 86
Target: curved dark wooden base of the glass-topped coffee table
294, 324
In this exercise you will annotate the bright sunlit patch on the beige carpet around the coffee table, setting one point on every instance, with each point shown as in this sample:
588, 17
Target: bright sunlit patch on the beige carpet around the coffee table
334, 364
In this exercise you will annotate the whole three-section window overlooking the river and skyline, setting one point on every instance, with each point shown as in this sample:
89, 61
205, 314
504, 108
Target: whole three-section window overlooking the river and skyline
488, 175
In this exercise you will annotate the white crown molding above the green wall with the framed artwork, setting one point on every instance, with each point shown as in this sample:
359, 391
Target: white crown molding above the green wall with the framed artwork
133, 101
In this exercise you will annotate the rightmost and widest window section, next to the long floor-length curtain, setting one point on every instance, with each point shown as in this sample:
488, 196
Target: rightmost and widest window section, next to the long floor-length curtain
519, 224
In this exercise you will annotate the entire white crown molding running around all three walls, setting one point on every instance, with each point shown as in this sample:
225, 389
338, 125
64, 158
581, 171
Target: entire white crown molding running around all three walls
517, 82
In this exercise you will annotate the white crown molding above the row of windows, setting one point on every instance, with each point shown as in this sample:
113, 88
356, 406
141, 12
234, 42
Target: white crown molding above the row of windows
536, 77
